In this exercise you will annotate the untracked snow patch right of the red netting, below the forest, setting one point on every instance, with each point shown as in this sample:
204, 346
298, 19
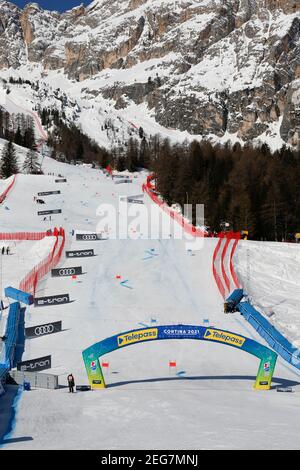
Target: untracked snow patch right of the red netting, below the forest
270, 273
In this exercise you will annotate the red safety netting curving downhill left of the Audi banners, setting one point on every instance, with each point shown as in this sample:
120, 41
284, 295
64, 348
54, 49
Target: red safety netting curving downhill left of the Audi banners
30, 281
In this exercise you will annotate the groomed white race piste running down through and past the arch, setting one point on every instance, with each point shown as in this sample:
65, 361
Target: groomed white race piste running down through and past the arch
166, 394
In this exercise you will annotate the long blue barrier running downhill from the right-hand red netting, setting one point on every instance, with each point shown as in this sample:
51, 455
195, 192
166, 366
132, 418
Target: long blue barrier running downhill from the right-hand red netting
271, 335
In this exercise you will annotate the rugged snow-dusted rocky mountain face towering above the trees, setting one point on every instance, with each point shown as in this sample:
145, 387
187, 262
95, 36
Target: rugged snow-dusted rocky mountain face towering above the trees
221, 67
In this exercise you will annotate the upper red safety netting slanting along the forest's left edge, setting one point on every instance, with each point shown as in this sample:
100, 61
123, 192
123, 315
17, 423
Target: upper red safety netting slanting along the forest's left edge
189, 228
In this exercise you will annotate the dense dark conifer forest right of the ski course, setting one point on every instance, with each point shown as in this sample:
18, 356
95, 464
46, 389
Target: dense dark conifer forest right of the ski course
248, 188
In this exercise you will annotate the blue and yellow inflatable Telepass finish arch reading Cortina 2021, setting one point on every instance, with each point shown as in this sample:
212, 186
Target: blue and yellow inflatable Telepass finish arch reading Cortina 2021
267, 357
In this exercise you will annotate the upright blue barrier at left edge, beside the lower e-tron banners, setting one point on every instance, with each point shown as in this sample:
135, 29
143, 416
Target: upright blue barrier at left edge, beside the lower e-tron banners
11, 339
